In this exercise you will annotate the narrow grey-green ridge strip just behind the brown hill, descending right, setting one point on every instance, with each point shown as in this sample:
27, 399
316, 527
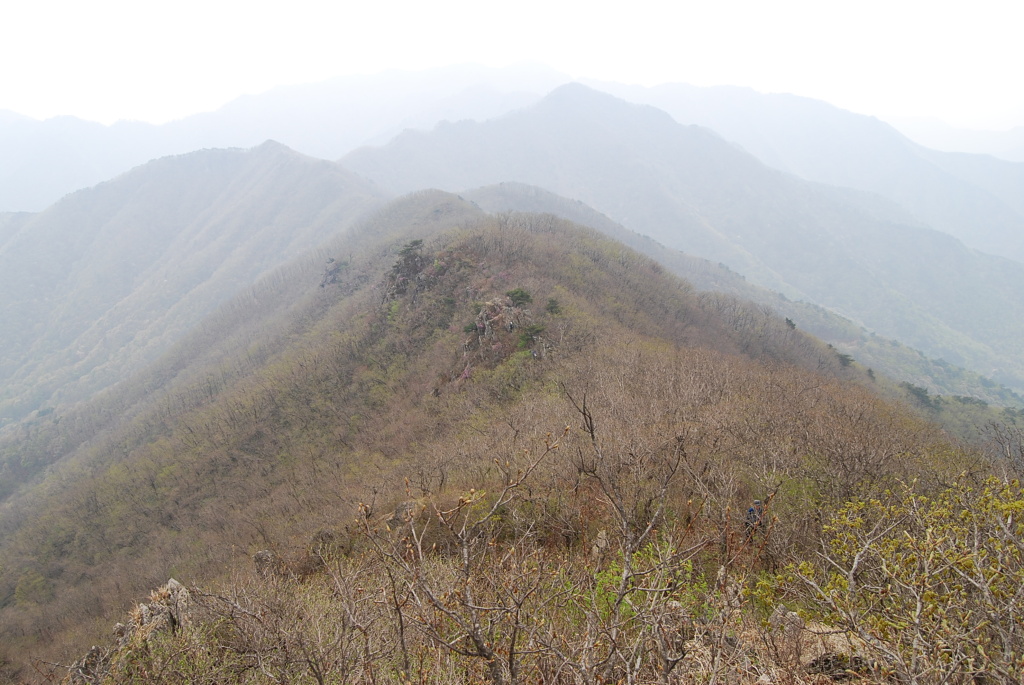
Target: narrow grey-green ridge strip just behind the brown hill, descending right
882, 355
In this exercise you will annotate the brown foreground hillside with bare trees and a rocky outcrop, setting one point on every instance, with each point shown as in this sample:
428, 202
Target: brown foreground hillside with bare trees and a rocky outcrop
466, 448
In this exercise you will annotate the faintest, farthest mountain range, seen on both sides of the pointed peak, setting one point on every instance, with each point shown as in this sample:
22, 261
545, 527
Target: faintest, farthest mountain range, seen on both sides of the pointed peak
980, 200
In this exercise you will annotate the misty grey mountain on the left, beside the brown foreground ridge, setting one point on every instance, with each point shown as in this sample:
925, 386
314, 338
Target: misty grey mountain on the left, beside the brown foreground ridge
107, 279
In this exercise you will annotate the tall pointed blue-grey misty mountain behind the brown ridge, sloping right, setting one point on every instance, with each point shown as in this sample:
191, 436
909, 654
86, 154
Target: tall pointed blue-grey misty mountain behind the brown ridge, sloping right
689, 189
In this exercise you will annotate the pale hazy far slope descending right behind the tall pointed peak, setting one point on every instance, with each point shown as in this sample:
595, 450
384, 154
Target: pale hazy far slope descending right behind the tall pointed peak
974, 198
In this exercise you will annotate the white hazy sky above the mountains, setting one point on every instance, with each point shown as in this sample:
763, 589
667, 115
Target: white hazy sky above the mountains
156, 61
